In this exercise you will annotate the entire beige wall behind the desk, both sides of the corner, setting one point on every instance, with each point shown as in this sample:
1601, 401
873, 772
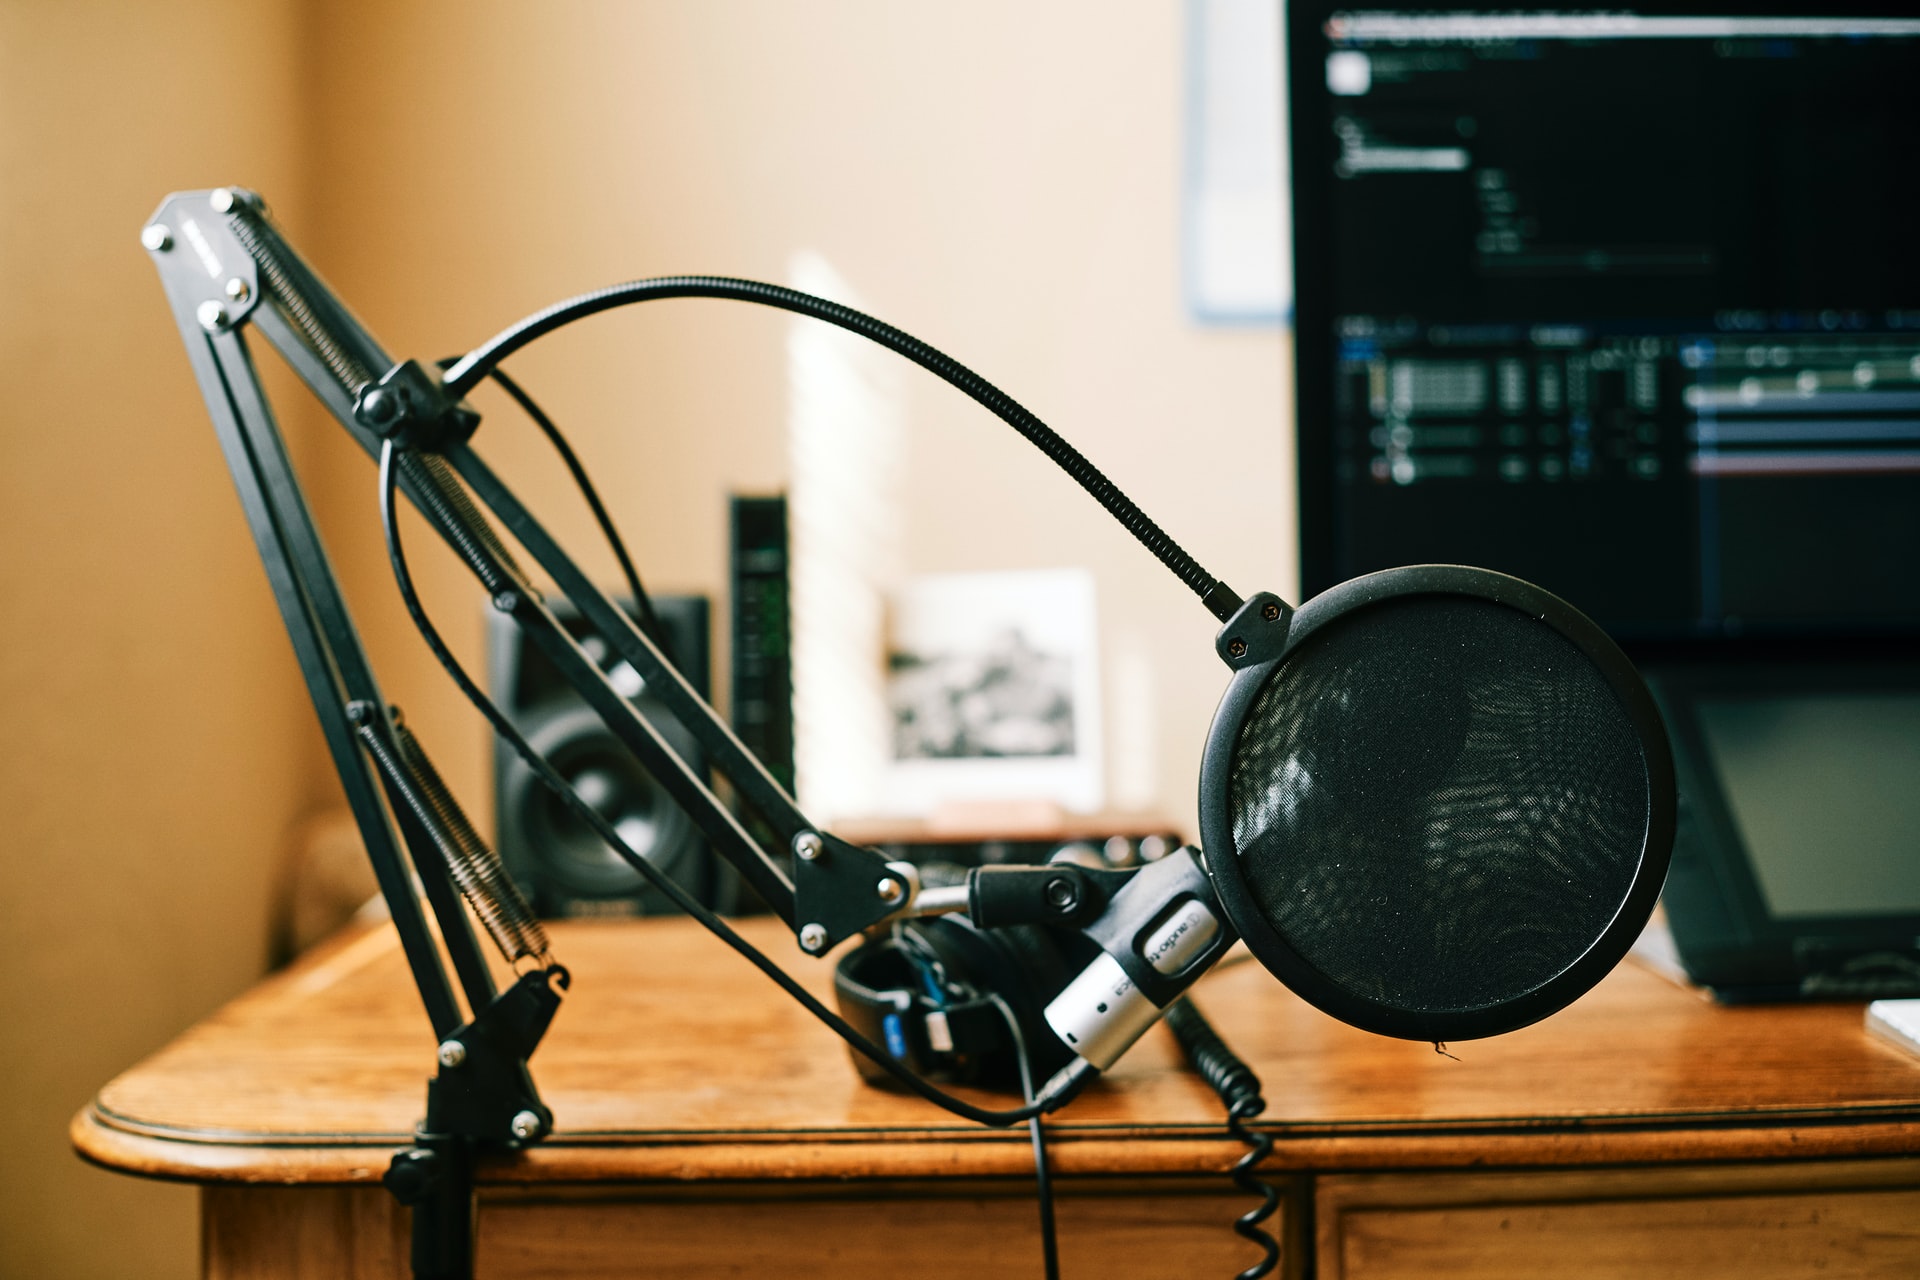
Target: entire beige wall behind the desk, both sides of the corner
1001, 179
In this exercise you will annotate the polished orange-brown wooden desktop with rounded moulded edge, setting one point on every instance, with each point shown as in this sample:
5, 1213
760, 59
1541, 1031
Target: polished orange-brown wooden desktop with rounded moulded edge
673, 1060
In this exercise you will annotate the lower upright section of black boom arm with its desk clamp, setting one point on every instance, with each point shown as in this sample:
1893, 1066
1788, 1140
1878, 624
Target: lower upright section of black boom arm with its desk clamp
483, 1095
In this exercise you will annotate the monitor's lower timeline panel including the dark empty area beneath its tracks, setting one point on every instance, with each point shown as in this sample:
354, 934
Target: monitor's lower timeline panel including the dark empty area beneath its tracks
1712, 477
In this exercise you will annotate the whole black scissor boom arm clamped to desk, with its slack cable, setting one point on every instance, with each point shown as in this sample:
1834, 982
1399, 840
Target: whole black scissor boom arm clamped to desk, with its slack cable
228, 268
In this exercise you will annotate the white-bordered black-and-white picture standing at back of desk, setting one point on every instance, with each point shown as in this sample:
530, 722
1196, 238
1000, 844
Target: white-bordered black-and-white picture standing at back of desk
994, 688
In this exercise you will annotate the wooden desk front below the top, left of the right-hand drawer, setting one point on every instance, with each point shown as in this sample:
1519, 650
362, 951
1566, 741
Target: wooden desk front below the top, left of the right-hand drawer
946, 1233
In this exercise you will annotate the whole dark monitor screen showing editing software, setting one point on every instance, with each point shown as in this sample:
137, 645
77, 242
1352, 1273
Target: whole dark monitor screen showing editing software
1625, 304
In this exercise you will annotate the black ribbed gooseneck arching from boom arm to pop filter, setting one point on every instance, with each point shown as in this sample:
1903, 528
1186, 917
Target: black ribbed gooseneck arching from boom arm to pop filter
466, 373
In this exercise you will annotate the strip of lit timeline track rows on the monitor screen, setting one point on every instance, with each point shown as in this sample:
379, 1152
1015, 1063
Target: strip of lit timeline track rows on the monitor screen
1621, 410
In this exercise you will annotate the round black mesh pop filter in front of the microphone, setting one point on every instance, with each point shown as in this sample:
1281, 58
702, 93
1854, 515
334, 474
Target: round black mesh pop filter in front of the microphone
1568, 872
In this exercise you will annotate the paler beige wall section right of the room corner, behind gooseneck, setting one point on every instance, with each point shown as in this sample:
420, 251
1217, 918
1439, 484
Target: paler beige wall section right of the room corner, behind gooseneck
999, 179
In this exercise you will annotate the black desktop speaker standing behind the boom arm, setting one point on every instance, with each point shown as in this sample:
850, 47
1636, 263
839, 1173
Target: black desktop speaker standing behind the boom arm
556, 859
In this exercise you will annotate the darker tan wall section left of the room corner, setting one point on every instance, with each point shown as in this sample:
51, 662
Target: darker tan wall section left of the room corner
155, 749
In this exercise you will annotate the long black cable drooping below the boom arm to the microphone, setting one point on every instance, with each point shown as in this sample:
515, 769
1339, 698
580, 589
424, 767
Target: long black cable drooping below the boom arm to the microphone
1068, 1085
